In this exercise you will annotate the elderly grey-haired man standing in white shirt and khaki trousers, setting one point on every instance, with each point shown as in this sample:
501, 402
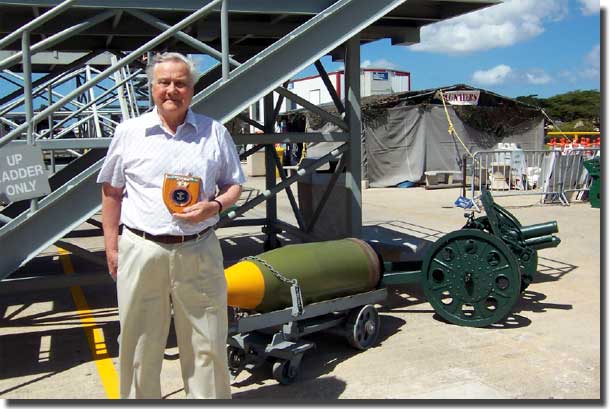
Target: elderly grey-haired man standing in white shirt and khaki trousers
168, 257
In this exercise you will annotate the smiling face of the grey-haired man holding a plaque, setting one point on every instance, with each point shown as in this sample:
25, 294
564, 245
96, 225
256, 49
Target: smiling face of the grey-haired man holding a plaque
171, 88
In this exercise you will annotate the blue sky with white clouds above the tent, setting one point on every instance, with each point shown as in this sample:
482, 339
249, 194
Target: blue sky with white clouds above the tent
520, 47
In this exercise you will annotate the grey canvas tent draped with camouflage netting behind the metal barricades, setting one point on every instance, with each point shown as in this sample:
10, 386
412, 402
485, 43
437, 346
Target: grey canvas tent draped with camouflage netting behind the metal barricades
405, 135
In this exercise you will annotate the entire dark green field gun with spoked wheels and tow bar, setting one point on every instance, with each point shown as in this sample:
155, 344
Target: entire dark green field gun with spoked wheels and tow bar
474, 276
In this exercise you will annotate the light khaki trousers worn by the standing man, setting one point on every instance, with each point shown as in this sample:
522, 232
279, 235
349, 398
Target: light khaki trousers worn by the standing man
190, 277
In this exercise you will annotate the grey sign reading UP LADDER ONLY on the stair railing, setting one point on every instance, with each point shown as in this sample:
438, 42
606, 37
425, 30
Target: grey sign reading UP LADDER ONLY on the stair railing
22, 173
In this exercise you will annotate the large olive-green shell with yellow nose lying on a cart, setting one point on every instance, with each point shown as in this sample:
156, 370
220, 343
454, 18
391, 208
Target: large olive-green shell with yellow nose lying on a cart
324, 271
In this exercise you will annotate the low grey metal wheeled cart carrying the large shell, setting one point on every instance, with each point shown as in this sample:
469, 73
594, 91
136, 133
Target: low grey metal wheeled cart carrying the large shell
276, 337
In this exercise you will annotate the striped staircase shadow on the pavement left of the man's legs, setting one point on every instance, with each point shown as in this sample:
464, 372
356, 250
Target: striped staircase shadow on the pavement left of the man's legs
51, 341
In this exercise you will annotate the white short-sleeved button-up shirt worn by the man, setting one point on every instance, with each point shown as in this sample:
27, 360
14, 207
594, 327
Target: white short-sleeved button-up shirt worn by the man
143, 151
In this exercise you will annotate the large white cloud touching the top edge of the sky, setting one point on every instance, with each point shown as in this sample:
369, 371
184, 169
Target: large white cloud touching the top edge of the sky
501, 25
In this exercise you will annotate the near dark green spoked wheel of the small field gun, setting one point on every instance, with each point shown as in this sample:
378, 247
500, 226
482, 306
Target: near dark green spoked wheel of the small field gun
471, 278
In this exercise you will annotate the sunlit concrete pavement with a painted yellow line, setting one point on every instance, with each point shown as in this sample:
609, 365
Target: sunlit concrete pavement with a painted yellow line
548, 348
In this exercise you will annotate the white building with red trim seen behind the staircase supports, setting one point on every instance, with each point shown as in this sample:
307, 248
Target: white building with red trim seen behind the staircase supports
373, 81
